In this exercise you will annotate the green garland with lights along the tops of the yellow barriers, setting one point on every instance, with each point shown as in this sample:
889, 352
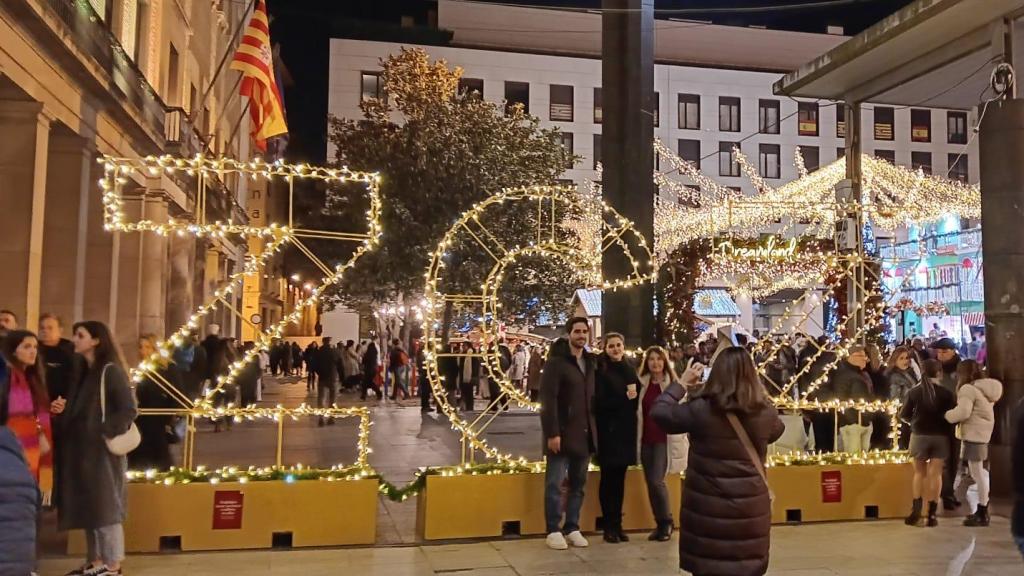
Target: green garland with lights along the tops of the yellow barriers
402, 493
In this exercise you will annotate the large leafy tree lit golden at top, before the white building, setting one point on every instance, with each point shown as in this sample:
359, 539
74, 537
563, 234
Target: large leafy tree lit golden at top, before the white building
440, 151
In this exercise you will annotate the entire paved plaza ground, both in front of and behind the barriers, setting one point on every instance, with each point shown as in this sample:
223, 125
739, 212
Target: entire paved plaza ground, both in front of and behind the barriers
404, 439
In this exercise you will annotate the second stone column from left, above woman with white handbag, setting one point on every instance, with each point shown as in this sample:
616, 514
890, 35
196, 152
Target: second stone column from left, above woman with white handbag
66, 229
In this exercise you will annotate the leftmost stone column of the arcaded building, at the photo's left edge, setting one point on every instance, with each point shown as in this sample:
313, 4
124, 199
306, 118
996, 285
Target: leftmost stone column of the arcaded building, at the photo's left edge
23, 195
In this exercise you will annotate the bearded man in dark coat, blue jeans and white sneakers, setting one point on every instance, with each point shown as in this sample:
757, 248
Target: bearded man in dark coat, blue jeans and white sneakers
570, 431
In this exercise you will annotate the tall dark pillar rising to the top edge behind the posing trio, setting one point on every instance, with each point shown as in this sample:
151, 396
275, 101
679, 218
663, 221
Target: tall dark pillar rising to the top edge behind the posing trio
628, 156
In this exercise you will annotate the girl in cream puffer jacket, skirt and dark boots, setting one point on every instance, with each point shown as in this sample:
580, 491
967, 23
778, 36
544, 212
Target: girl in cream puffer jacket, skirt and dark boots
975, 417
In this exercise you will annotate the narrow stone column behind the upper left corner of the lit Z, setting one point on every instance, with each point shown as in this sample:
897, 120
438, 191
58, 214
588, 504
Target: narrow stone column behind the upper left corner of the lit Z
155, 275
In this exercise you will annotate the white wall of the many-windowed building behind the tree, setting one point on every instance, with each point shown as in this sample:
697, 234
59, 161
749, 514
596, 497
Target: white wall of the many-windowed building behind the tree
351, 58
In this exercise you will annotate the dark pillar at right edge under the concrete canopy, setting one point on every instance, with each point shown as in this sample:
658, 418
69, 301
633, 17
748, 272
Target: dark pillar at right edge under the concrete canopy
1002, 147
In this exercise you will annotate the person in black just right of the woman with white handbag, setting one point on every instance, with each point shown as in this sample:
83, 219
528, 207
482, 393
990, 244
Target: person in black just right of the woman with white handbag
155, 450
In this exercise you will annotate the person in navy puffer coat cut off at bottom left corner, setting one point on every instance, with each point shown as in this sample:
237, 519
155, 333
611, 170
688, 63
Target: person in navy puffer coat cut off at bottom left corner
19, 502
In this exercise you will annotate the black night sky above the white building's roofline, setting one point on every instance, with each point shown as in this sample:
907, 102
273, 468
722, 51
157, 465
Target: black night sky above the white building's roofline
305, 28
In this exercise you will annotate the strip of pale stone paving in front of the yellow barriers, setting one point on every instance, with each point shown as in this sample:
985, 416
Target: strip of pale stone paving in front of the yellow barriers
863, 549
